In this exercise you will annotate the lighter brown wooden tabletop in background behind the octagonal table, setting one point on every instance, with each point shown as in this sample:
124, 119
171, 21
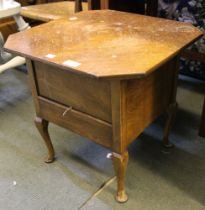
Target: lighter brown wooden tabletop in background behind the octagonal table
51, 11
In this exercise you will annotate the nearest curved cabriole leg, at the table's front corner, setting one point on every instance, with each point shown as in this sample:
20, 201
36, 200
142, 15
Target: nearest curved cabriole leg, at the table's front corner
120, 166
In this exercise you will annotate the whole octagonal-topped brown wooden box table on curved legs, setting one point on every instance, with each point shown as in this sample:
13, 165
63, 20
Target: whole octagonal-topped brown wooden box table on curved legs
126, 65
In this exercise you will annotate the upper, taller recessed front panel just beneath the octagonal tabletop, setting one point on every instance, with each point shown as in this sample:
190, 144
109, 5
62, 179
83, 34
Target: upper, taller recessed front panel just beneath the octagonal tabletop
88, 95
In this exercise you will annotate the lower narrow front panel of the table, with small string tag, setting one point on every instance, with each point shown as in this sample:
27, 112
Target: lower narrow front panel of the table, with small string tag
80, 123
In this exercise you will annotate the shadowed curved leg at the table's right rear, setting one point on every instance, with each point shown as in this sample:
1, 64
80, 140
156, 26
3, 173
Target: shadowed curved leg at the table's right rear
171, 113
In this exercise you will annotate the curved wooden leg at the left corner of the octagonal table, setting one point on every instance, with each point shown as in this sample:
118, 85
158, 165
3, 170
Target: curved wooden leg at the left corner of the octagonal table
42, 126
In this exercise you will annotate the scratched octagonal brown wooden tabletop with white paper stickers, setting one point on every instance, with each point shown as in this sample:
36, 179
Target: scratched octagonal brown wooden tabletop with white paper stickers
120, 40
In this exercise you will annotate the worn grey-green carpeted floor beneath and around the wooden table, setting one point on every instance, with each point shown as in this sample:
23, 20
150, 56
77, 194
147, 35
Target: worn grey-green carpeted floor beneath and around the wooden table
157, 179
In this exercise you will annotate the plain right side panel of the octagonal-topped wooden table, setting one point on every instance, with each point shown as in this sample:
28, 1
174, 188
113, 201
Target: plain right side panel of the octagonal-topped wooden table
148, 97
